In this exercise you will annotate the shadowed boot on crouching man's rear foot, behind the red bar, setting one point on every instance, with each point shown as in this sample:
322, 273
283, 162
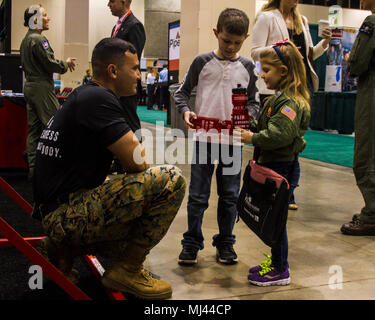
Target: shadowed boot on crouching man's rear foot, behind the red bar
61, 257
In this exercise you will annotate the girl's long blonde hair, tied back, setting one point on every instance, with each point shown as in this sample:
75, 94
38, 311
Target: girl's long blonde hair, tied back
294, 83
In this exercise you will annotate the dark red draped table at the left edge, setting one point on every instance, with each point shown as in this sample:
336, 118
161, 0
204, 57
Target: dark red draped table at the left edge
13, 132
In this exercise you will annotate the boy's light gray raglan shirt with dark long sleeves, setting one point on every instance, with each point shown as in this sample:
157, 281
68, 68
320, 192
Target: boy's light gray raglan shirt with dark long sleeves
214, 79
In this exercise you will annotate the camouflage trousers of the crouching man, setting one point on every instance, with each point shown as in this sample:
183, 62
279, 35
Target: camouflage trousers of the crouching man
125, 217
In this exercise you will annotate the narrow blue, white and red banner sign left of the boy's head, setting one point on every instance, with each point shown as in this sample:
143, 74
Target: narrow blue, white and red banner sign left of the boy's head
174, 51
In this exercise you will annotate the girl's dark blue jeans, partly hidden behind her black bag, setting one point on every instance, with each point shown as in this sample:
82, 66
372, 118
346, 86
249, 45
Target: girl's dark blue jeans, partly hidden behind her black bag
280, 252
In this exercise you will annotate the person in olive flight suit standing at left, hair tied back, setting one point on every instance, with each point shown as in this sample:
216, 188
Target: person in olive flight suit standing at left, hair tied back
39, 64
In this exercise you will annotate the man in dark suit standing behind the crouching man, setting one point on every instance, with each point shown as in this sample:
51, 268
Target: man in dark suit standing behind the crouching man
130, 29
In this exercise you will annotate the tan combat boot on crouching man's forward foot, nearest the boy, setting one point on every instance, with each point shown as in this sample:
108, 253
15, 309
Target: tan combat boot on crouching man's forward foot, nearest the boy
136, 281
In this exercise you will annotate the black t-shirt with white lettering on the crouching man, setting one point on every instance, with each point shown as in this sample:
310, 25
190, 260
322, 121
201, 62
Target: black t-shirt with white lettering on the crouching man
72, 151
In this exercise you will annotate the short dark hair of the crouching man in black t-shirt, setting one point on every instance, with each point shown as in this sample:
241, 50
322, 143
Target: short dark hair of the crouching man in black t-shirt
109, 51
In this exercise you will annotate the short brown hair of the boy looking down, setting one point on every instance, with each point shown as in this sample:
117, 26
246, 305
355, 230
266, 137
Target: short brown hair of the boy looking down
233, 21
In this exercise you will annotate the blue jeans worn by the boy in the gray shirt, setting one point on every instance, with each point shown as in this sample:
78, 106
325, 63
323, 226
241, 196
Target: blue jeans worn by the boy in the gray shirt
228, 187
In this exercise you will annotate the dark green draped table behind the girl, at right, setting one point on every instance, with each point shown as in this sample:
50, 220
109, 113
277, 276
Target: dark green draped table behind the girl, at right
334, 111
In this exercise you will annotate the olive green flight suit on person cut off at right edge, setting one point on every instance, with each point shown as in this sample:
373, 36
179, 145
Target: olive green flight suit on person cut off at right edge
361, 64
